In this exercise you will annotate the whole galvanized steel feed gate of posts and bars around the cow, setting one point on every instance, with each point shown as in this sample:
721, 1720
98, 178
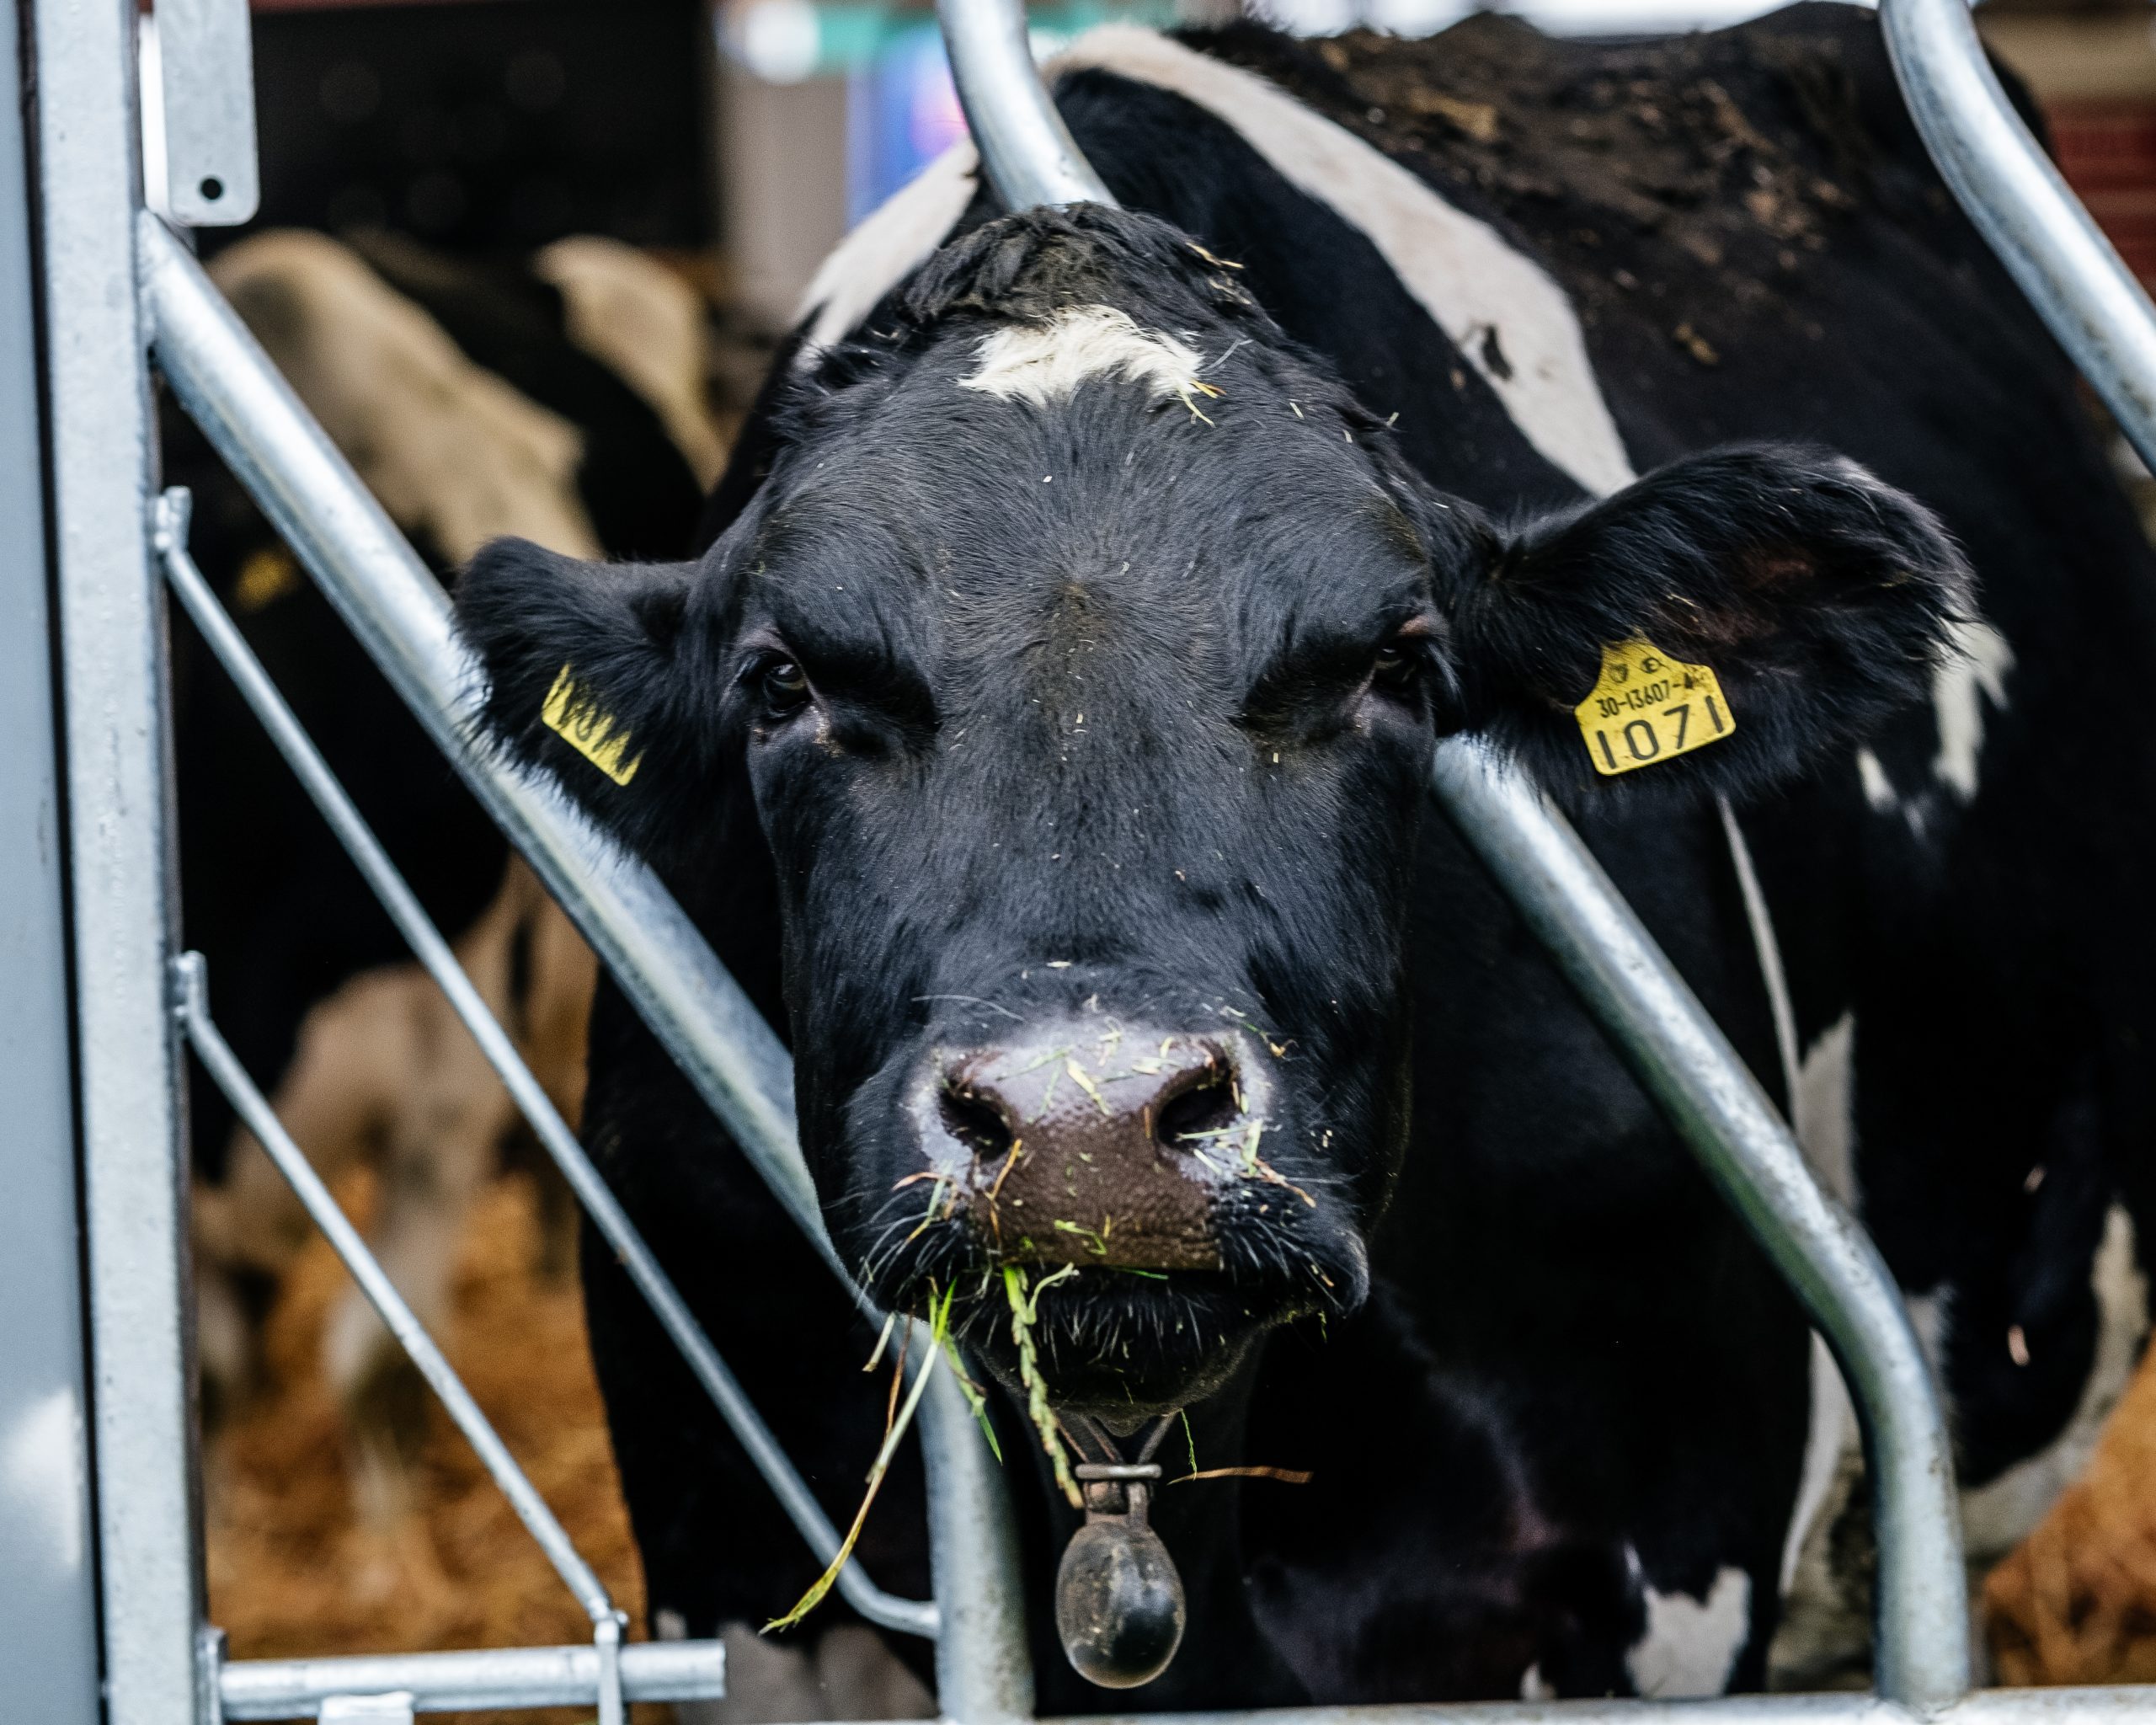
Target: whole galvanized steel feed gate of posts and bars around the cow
122, 292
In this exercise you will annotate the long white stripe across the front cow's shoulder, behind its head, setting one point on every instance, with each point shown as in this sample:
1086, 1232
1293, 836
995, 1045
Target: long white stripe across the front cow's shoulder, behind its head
1504, 312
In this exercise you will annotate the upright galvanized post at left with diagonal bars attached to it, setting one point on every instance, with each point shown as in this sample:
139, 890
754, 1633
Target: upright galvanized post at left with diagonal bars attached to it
120, 859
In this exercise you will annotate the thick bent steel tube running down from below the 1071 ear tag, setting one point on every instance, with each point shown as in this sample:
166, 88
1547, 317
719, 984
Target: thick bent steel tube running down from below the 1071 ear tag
1722, 1114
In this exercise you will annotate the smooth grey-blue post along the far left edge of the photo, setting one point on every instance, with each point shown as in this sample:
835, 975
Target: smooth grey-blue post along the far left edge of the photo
49, 1601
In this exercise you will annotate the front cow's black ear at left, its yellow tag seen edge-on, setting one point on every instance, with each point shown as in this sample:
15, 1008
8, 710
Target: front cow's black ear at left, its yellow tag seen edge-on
592, 674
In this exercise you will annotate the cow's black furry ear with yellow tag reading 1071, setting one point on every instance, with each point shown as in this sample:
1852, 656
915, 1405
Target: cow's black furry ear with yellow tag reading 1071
1819, 596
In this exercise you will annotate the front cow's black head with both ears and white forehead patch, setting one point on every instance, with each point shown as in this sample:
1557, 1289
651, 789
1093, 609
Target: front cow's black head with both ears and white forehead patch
1083, 654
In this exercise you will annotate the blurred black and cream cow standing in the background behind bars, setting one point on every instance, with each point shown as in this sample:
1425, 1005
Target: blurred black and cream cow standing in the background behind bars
564, 402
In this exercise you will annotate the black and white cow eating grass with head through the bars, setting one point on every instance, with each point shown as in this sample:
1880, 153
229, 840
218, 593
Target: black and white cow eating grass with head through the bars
1053, 708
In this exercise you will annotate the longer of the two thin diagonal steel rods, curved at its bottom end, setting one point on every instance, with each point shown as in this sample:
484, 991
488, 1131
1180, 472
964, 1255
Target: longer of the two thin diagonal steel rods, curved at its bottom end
527, 1092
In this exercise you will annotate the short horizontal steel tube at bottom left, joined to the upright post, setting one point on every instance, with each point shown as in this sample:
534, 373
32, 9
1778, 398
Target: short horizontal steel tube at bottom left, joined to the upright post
488, 1679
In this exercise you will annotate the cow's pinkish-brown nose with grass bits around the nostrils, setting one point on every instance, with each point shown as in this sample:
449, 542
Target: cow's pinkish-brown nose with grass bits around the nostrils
1101, 1148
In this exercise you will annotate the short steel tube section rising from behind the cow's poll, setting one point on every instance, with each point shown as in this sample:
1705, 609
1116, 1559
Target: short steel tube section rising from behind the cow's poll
1025, 148
